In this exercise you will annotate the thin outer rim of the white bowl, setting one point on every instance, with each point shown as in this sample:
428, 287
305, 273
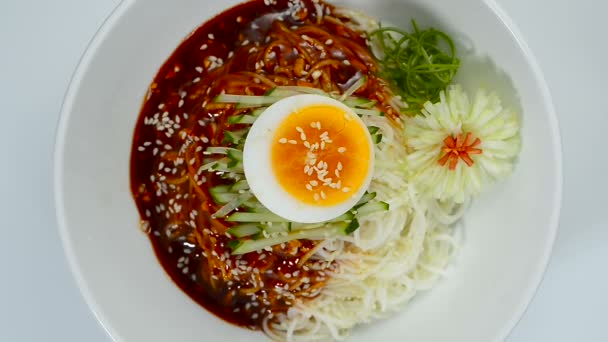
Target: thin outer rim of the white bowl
99, 37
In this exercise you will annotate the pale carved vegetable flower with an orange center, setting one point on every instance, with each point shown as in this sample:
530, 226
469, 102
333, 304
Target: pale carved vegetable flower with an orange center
458, 146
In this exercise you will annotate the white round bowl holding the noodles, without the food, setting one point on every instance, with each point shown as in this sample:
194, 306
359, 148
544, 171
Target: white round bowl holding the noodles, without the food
509, 230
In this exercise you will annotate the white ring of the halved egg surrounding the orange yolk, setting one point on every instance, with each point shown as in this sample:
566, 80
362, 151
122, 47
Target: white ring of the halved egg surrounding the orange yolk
257, 163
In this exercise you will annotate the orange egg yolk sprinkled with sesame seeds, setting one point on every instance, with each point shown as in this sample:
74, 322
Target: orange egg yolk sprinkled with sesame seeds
320, 155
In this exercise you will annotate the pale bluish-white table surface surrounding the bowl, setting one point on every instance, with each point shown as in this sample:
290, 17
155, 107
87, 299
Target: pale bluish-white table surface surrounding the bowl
41, 43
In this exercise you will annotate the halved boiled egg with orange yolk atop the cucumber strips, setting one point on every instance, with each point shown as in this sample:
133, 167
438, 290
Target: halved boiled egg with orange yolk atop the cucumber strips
308, 158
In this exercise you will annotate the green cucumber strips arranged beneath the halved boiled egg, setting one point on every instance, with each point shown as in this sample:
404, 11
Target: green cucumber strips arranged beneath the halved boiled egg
253, 226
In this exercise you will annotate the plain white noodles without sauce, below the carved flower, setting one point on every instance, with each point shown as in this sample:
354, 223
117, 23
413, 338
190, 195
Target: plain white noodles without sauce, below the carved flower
391, 257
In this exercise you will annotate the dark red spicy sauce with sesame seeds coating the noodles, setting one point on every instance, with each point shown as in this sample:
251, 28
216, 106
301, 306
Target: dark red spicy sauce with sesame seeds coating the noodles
245, 50
